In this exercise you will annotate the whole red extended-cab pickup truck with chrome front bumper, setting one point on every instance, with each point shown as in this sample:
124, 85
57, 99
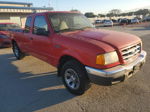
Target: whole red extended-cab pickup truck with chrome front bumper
68, 41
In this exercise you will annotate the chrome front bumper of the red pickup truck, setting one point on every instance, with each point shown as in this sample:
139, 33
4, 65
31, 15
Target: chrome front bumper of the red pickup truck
120, 72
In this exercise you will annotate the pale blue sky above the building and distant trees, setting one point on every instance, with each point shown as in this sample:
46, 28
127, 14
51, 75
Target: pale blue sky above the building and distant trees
96, 6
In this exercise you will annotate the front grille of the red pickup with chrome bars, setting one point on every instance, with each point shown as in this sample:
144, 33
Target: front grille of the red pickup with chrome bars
131, 52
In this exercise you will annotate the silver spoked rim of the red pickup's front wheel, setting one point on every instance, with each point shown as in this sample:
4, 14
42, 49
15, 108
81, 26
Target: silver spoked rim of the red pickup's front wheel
72, 79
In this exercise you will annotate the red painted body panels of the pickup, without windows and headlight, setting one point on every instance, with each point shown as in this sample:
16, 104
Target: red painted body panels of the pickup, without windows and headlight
81, 45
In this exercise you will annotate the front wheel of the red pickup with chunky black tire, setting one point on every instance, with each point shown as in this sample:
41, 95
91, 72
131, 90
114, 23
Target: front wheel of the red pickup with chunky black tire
79, 77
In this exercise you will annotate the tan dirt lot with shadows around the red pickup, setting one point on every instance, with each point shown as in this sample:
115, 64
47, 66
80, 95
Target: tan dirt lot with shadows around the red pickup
32, 85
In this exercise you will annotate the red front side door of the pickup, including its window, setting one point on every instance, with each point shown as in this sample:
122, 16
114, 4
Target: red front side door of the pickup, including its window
41, 38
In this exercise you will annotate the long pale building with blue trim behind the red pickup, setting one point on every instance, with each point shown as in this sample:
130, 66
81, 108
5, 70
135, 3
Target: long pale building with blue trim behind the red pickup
16, 12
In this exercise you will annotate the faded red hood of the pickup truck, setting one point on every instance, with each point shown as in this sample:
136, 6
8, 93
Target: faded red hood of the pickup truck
115, 39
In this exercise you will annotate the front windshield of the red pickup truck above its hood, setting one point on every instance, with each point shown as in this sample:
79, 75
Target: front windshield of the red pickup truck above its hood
64, 22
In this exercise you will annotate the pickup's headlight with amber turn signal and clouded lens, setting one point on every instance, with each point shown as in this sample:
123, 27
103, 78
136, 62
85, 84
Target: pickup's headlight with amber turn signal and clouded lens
108, 58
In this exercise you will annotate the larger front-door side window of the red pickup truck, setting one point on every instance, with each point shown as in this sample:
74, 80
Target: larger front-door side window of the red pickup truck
40, 26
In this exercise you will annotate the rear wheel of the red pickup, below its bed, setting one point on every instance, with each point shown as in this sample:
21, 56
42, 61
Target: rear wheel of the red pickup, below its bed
17, 52
